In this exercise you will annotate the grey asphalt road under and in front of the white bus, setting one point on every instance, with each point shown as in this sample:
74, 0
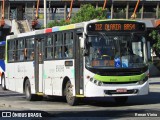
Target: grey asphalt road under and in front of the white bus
138, 106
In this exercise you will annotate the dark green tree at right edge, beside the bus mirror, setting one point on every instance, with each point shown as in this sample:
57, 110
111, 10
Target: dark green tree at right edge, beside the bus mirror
155, 35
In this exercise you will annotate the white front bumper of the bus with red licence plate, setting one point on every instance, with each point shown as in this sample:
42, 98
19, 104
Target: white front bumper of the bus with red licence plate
93, 90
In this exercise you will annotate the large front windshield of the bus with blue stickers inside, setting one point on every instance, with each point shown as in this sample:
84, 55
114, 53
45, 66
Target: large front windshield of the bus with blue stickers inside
116, 50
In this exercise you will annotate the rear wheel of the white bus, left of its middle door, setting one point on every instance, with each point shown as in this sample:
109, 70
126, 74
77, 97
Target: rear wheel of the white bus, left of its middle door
28, 94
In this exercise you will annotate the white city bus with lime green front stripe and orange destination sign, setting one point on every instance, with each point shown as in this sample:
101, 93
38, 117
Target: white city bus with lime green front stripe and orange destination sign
97, 58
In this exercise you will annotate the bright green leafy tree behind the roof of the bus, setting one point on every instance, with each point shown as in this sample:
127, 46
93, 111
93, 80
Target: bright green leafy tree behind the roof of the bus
86, 12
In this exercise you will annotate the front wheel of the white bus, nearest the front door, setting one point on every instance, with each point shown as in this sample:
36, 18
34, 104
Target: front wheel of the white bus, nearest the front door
71, 100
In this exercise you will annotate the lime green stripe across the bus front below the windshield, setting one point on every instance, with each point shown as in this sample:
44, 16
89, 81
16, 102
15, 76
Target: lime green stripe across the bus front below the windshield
120, 78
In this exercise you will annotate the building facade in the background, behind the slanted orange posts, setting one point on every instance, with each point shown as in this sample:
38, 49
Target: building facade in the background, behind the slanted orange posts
148, 11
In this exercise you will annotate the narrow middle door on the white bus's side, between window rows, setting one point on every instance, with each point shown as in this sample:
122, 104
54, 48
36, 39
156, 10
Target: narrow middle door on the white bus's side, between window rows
38, 63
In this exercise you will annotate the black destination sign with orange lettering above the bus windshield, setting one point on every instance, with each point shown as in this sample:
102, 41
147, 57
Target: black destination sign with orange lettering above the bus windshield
116, 27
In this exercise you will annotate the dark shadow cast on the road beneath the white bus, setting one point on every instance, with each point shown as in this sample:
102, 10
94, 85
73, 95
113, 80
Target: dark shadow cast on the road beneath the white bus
152, 98
